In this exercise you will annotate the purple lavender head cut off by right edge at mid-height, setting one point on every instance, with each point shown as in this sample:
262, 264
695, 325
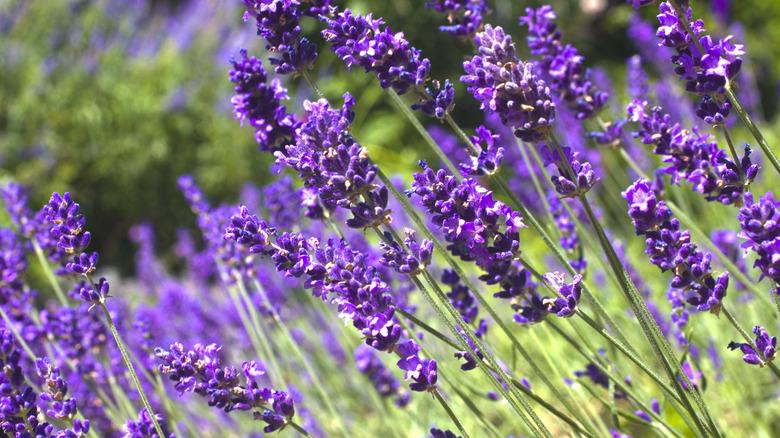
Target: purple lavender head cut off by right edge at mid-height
760, 223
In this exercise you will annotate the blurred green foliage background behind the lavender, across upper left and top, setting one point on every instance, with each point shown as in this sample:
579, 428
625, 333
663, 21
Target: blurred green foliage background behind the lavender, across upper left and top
113, 100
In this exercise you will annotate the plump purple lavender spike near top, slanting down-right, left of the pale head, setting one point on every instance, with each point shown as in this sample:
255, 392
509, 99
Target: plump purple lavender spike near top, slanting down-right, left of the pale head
368, 43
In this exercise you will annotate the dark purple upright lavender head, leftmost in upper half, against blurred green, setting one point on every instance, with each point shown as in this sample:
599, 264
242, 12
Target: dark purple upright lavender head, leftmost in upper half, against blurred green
258, 102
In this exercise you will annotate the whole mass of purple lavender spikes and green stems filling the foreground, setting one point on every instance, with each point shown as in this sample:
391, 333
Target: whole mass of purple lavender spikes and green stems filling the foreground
440, 301
